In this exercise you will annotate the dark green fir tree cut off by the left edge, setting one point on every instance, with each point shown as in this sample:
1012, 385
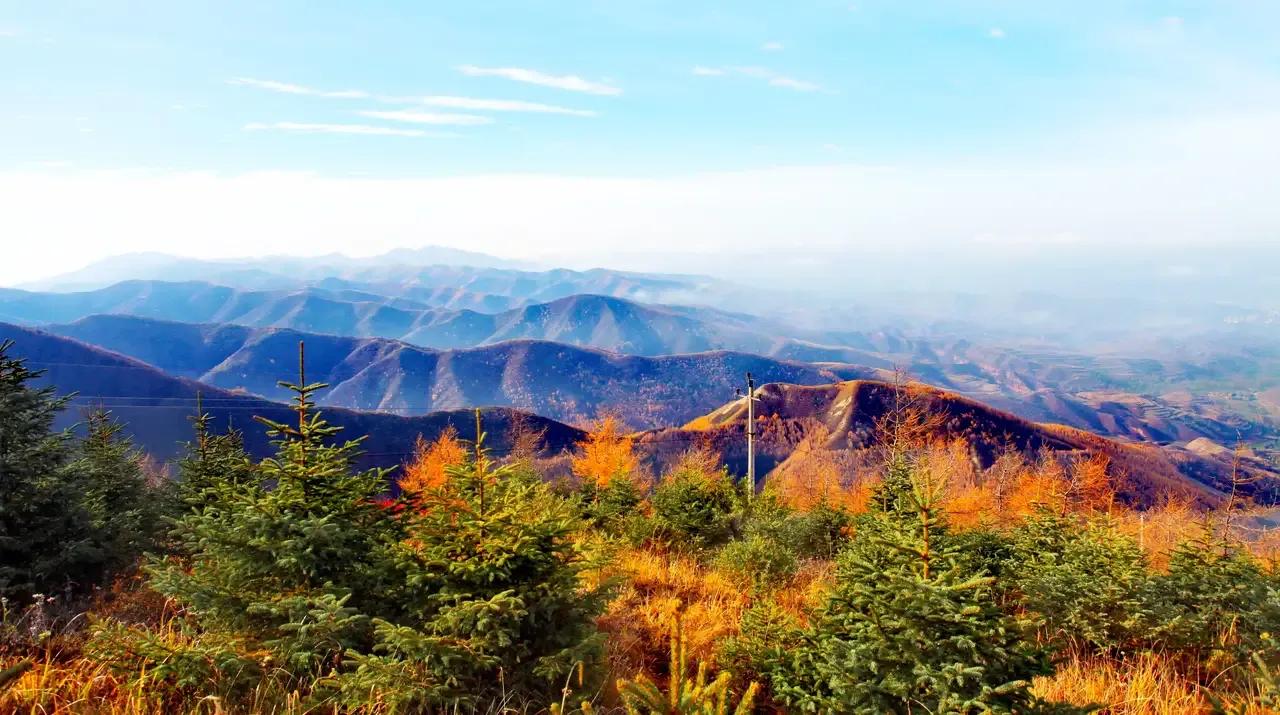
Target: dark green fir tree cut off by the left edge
45, 534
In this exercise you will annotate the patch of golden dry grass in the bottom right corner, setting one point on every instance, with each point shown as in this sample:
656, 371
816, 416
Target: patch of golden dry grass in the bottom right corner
1145, 685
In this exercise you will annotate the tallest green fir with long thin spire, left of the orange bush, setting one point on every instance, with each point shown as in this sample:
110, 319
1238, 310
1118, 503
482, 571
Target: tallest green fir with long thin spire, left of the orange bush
295, 569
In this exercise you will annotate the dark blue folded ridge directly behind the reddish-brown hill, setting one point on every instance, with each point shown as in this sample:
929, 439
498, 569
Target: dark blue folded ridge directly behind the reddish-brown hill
559, 381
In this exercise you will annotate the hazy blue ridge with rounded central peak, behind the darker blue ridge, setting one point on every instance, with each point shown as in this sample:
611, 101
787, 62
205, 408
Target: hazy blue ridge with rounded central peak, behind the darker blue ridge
597, 322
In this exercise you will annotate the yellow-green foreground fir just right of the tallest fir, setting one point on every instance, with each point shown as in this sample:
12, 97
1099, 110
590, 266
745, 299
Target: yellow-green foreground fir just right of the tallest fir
499, 598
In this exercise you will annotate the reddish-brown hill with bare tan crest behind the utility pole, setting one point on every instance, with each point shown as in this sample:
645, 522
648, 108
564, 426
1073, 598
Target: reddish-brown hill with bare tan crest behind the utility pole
844, 416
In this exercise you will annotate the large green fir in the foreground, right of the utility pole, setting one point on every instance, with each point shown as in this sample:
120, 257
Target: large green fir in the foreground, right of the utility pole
909, 629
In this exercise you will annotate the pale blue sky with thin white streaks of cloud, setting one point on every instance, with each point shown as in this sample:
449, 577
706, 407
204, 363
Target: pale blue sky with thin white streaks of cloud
752, 139
